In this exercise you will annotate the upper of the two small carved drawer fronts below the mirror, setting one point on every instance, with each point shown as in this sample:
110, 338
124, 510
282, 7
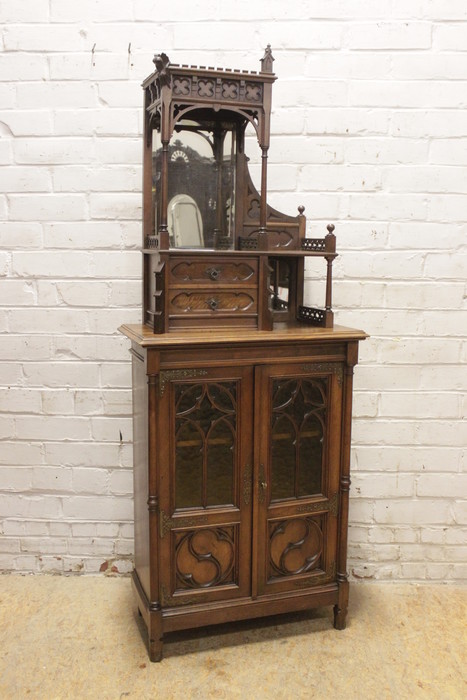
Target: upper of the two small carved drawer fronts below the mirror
213, 272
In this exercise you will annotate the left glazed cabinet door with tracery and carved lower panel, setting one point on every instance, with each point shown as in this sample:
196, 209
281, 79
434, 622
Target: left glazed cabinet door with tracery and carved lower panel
205, 477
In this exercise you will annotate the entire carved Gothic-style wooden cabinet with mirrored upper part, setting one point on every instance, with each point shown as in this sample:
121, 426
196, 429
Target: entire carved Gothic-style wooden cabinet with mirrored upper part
241, 394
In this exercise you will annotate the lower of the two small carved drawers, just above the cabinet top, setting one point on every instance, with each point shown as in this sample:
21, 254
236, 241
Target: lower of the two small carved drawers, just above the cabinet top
213, 302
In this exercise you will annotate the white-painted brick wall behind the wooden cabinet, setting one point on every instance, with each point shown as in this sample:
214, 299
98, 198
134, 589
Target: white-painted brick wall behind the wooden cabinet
369, 131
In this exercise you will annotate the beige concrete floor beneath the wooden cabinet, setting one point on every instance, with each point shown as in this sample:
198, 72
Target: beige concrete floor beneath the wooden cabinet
80, 637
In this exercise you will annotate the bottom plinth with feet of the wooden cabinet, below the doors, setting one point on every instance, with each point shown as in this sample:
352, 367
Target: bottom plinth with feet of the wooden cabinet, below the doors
162, 620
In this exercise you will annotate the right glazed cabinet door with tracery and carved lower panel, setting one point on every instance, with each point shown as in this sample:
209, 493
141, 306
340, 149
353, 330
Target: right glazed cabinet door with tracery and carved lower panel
299, 409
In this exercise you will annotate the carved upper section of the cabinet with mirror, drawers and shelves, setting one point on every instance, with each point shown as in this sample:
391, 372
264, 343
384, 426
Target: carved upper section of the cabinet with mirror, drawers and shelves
215, 253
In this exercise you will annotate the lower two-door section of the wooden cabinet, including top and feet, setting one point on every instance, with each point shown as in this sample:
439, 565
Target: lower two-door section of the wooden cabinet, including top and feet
241, 459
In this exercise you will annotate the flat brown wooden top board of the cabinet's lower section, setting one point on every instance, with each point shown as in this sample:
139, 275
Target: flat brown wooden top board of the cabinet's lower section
144, 336
